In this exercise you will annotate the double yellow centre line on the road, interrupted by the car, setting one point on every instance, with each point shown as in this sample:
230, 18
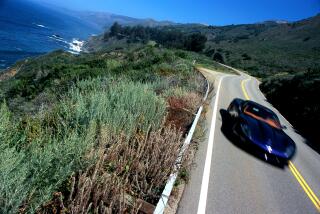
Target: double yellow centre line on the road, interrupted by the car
315, 200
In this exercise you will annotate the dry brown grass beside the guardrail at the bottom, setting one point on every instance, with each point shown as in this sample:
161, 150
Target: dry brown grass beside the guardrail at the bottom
125, 171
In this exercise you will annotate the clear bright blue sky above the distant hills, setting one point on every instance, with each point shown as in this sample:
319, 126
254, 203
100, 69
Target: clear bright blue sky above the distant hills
213, 12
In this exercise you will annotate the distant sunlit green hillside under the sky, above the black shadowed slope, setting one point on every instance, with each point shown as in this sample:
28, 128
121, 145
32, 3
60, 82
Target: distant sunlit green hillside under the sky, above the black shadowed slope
264, 48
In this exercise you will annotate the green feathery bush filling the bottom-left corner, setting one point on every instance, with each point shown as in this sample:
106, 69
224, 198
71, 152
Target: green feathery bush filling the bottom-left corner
30, 174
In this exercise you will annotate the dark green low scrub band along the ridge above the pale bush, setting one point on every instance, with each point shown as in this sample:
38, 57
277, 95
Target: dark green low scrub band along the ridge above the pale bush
41, 81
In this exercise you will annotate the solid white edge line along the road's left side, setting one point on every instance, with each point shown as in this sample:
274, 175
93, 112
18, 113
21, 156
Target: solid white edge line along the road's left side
207, 166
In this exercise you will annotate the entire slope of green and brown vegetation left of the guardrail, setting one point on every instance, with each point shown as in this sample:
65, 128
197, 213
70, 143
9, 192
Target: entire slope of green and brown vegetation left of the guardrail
94, 132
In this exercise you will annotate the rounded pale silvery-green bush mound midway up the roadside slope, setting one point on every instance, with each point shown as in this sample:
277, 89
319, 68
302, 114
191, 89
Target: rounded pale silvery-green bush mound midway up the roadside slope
119, 105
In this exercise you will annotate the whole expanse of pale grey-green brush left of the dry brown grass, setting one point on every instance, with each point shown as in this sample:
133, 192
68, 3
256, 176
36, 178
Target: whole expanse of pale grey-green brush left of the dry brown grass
39, 157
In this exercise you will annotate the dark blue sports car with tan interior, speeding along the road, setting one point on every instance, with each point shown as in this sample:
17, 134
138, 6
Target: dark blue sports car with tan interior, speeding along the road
260, 126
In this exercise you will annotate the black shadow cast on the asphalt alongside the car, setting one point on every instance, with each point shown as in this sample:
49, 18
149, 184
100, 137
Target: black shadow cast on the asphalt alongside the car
251, 149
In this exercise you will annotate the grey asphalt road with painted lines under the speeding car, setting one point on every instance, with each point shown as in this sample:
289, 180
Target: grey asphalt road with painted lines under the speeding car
228, 178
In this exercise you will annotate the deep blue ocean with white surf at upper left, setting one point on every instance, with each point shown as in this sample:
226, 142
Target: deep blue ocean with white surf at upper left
28, 29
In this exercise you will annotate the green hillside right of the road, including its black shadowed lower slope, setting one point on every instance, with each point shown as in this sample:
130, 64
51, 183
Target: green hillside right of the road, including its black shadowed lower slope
286, 56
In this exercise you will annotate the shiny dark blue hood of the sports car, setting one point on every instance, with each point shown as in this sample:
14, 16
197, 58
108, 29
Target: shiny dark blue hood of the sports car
265, 135
